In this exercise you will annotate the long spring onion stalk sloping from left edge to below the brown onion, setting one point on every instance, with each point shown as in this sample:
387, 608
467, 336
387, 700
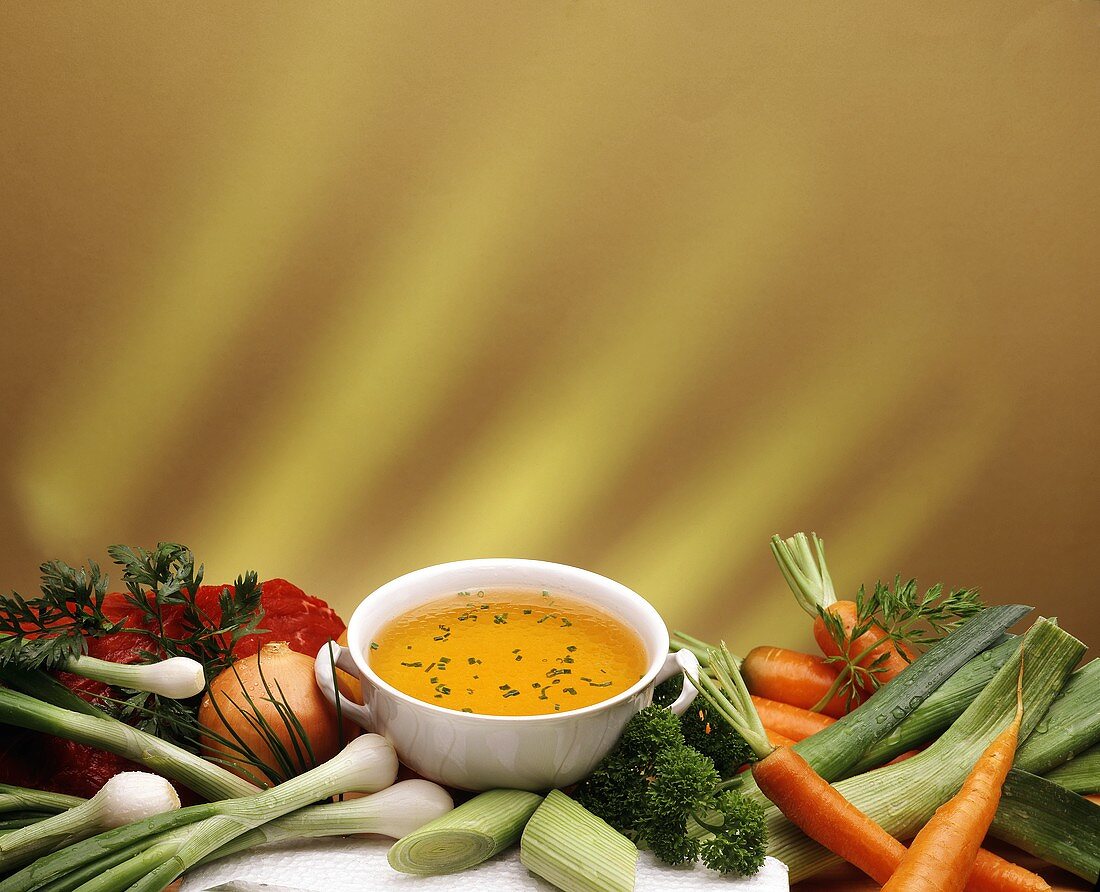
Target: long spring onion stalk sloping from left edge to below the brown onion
206, 779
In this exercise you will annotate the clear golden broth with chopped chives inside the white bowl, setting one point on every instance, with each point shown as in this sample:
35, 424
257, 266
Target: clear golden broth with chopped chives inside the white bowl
509, 652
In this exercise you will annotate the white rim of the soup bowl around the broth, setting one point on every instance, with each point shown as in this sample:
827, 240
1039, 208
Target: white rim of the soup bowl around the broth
656, 664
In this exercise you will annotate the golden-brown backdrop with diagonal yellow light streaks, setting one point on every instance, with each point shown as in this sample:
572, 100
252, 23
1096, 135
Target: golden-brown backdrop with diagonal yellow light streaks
339, 291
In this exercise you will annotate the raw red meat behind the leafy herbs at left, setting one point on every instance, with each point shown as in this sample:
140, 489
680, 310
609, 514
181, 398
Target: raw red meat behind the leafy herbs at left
48, 763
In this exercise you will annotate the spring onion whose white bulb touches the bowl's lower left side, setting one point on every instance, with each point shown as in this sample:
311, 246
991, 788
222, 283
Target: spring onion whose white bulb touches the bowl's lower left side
160, 850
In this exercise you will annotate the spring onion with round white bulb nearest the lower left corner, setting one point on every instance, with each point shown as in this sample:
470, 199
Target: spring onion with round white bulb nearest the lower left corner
130, 797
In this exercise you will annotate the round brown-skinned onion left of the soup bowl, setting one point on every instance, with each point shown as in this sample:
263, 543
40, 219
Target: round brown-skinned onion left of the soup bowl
294, 675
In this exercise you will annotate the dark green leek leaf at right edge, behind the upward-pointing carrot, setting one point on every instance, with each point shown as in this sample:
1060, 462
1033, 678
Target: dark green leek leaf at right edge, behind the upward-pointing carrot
1050, 822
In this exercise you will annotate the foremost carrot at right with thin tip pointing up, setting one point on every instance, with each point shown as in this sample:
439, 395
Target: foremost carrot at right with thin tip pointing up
943, 855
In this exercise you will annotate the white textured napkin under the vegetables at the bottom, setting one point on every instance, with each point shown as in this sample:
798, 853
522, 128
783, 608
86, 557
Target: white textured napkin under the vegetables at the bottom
353, 865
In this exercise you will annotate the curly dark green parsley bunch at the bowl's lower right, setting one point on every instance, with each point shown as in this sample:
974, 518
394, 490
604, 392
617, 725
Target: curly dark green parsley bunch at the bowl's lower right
653, 787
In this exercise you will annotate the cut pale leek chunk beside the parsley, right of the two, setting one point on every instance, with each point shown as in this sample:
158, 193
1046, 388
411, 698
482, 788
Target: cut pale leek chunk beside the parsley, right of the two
570, 847
